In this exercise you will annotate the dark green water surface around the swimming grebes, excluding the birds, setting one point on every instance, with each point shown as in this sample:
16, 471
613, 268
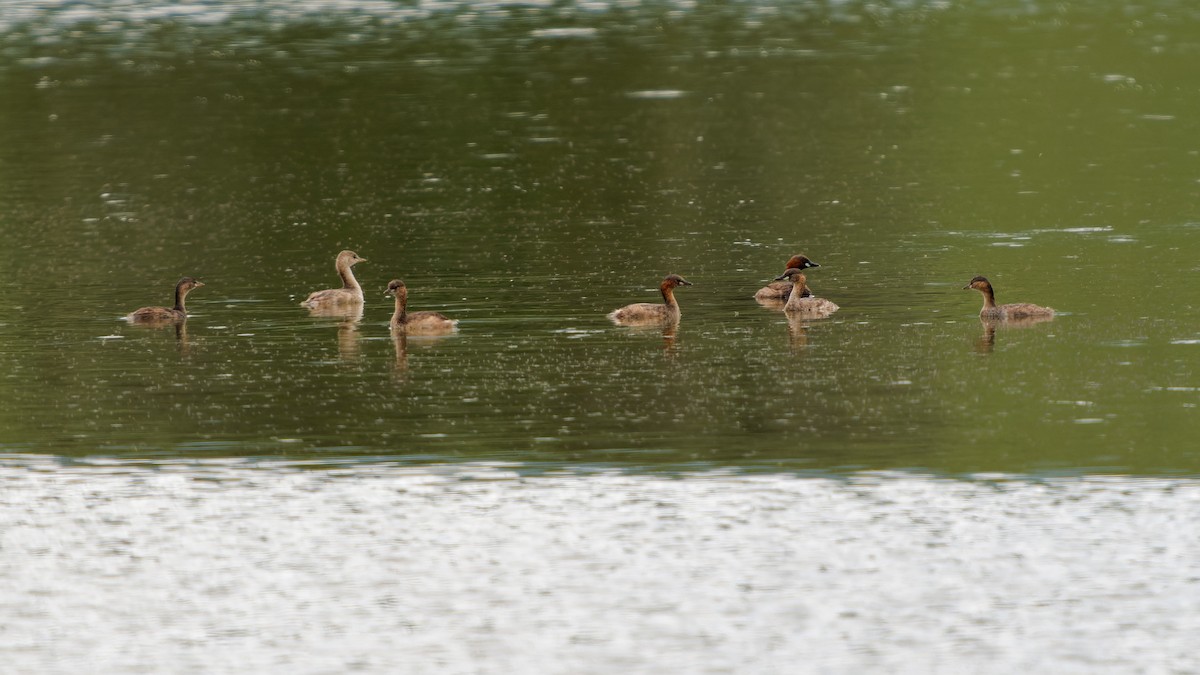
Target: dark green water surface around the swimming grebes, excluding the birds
527, 170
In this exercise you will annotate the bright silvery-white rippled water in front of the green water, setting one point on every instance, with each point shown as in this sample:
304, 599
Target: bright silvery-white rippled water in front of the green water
217, 566
